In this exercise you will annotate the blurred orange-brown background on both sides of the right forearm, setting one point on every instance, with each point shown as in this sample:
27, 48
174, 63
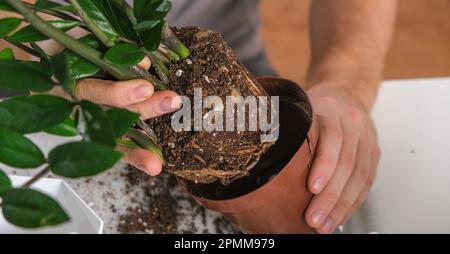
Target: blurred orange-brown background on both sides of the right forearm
421, 46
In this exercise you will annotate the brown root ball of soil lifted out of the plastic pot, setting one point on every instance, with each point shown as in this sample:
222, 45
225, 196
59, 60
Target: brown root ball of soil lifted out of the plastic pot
202, 156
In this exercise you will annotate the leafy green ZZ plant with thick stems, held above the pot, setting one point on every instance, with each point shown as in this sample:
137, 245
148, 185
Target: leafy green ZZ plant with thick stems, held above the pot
119, 37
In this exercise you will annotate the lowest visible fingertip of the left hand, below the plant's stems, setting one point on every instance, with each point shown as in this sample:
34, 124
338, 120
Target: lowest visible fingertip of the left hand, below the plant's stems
144, 160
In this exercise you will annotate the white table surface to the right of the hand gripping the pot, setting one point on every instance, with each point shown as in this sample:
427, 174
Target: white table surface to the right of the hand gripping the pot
412, 190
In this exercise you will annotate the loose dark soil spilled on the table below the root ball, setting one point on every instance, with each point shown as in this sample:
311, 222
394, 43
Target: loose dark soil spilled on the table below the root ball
159, 212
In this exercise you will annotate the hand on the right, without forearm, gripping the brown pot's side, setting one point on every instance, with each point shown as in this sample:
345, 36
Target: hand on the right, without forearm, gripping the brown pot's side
346, 159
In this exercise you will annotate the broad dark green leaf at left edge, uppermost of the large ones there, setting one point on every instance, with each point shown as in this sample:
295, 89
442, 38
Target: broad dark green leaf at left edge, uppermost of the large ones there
25, 76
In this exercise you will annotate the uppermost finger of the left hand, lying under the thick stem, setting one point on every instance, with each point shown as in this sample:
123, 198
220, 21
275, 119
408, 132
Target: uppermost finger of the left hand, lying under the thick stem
116, 94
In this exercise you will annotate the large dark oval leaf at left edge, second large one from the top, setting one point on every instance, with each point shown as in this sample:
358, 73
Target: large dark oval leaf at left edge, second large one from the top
30, 114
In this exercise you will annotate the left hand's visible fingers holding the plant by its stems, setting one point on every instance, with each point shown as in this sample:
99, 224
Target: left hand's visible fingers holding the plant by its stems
135, 95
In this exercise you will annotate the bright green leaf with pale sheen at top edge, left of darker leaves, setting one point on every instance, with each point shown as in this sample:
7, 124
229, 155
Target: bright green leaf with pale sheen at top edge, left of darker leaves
93, 12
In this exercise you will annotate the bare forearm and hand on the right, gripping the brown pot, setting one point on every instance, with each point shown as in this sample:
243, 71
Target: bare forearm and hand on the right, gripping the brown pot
350, 39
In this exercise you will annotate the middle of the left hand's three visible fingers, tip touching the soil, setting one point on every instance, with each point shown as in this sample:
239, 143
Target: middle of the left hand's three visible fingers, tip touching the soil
160, 103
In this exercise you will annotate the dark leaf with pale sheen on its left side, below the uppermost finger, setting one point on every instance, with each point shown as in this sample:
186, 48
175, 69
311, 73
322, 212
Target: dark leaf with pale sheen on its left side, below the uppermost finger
94, 125
